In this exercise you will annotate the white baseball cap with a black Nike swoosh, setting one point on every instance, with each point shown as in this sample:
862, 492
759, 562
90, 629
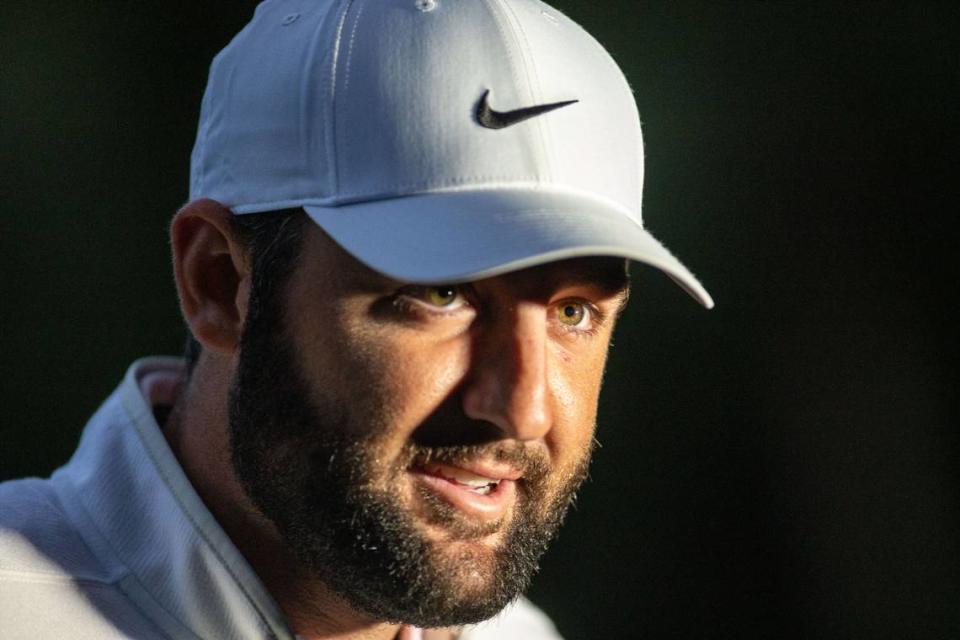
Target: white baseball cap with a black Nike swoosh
437, 141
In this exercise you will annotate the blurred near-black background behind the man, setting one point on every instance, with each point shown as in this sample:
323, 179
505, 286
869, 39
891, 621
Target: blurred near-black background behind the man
783, 466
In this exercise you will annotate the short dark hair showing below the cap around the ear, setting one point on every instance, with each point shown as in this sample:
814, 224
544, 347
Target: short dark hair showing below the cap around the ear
273, 240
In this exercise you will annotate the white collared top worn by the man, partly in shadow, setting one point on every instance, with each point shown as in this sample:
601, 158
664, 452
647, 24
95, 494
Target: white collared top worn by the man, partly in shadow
117, 544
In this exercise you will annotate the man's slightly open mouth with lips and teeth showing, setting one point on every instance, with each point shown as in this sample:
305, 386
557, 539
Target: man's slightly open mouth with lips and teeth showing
483, 493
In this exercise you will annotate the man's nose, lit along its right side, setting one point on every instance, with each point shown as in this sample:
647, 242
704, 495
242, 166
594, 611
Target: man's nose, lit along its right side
508, 384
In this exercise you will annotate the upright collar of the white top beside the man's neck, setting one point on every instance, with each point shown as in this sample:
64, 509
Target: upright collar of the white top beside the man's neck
137, 510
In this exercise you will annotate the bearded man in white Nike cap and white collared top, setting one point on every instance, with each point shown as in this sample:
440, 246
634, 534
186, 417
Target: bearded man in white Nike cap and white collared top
400, 266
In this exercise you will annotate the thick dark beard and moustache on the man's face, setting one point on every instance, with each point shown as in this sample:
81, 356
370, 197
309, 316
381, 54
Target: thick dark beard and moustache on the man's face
317, 468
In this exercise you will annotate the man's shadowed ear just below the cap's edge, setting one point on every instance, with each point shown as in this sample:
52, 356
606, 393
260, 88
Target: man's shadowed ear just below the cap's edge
211, 269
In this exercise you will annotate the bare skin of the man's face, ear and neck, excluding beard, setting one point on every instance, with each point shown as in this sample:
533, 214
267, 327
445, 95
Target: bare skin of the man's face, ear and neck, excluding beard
499, 351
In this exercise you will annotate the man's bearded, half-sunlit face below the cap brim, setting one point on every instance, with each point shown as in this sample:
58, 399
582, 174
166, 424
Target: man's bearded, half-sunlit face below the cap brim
417, 446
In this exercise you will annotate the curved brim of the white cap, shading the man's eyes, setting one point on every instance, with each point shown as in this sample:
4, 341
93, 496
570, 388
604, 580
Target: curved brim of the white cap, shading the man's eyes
458, 236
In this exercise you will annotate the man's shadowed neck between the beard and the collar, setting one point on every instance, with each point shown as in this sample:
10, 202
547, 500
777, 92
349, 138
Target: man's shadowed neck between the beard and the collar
197, 432
